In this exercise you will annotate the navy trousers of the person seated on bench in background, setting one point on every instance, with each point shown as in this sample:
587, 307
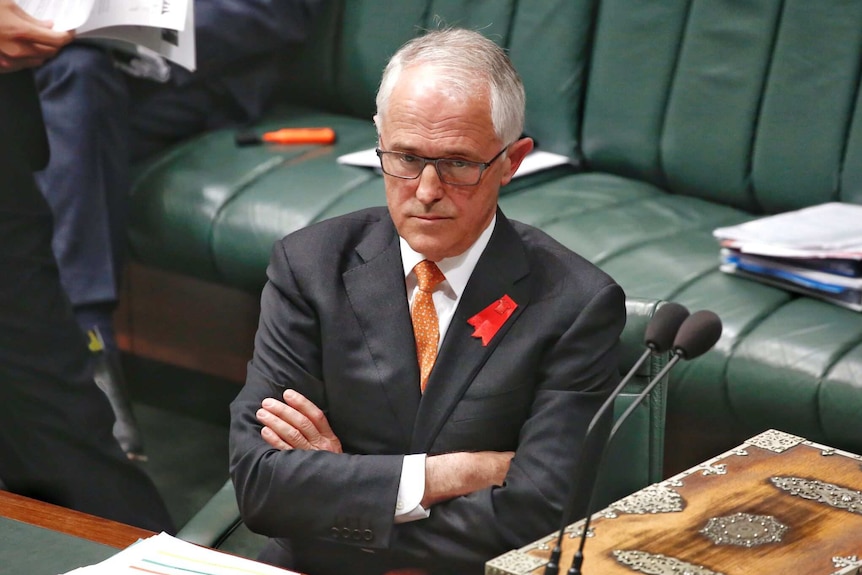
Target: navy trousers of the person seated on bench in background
100, 120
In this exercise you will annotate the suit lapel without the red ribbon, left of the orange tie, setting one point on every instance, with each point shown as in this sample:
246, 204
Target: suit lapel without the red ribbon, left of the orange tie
377, 293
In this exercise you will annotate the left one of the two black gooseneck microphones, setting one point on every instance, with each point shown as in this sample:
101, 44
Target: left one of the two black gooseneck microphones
658, 338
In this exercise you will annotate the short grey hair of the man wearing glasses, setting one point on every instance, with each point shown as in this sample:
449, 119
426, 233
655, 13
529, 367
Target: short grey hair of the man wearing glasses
473, 63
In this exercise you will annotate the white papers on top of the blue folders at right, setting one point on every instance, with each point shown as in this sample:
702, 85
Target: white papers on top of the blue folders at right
830, 227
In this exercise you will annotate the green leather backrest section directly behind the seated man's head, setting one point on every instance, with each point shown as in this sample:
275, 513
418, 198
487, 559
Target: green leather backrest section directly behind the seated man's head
340, 68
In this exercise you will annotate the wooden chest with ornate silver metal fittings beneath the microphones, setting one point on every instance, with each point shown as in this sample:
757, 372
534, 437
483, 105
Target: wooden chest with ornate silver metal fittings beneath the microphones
777, 504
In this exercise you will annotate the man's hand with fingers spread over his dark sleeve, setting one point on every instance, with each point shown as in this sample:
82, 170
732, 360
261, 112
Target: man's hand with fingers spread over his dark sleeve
296, 424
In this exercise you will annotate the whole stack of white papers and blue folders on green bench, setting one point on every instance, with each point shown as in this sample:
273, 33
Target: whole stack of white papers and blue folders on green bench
816, 251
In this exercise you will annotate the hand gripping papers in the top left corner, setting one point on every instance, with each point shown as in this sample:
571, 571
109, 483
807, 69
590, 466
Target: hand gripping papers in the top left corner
26, 42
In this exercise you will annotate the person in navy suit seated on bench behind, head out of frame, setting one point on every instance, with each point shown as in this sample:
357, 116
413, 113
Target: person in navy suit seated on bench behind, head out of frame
100, 120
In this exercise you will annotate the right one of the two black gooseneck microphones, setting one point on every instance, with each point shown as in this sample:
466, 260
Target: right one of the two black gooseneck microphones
697, 334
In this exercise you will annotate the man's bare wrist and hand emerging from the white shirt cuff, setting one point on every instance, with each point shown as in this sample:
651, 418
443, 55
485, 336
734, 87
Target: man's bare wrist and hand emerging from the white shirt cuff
451, 475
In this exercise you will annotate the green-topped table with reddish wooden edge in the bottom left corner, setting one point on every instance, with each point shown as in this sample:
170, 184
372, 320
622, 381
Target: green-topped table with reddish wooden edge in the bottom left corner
39, 538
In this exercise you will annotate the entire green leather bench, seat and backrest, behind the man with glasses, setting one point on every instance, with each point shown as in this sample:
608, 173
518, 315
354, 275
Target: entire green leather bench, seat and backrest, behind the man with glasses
678, 116
